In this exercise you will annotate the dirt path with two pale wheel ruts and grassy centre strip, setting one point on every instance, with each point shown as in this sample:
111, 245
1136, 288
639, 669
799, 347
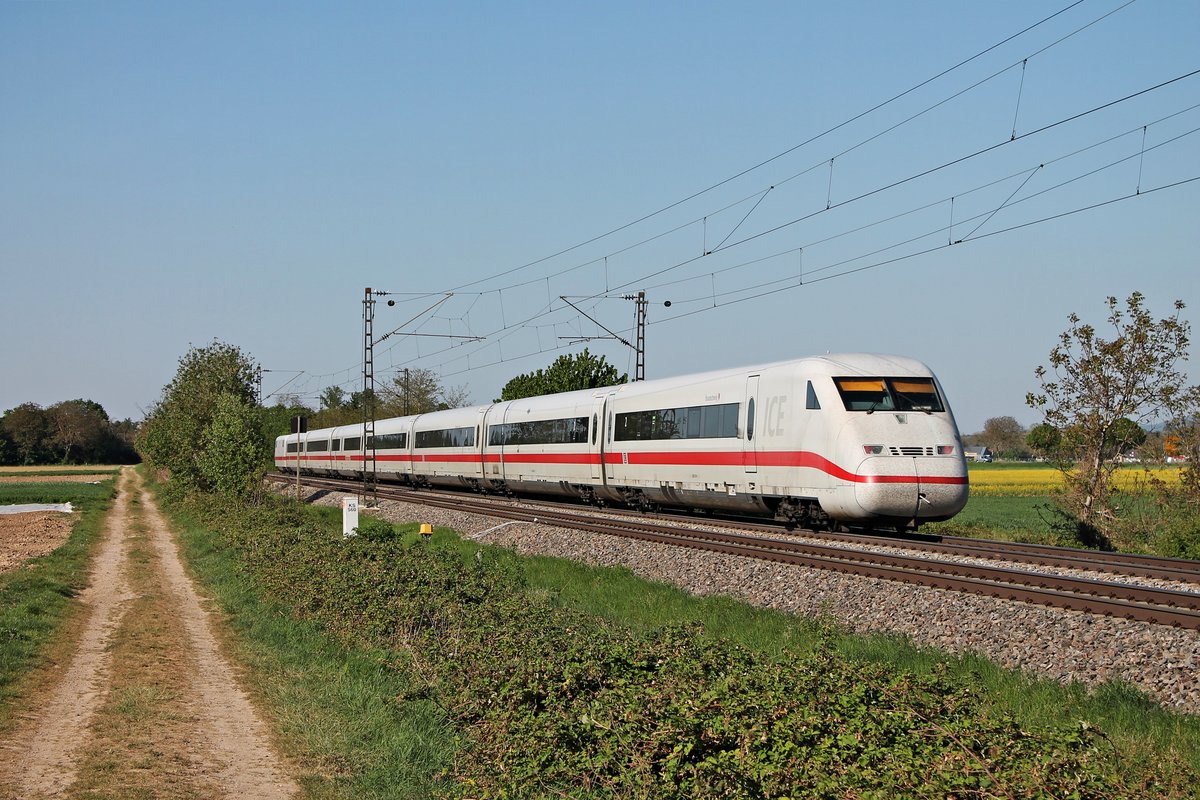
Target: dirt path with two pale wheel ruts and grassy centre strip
148, 706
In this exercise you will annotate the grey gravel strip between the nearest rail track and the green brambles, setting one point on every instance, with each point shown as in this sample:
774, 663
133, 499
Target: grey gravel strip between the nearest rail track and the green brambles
1059, 645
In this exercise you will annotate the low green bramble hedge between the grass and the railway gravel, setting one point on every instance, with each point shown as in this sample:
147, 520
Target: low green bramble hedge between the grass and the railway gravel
555, 703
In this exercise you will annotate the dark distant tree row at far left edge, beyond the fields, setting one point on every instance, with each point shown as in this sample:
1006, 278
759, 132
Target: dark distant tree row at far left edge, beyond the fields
71, 432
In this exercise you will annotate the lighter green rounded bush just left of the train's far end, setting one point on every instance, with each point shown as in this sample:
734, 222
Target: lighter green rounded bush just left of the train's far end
233, 452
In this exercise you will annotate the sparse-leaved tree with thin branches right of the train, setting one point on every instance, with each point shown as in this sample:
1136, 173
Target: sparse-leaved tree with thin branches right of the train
1094, 384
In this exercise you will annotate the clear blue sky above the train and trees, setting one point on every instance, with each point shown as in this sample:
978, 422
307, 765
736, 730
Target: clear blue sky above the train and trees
176, 173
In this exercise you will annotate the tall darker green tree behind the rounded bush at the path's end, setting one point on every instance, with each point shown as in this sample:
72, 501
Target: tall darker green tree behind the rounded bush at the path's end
173, 437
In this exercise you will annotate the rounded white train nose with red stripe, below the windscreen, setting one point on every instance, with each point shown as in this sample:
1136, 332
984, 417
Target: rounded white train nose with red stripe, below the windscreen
911, 489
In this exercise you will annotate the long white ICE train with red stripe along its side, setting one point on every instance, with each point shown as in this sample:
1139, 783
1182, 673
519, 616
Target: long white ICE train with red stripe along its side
862, 440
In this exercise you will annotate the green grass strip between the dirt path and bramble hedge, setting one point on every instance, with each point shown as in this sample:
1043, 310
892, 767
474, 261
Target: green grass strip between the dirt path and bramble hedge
333, 706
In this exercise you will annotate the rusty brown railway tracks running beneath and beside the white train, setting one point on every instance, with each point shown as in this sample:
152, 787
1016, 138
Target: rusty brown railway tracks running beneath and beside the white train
861, 556
